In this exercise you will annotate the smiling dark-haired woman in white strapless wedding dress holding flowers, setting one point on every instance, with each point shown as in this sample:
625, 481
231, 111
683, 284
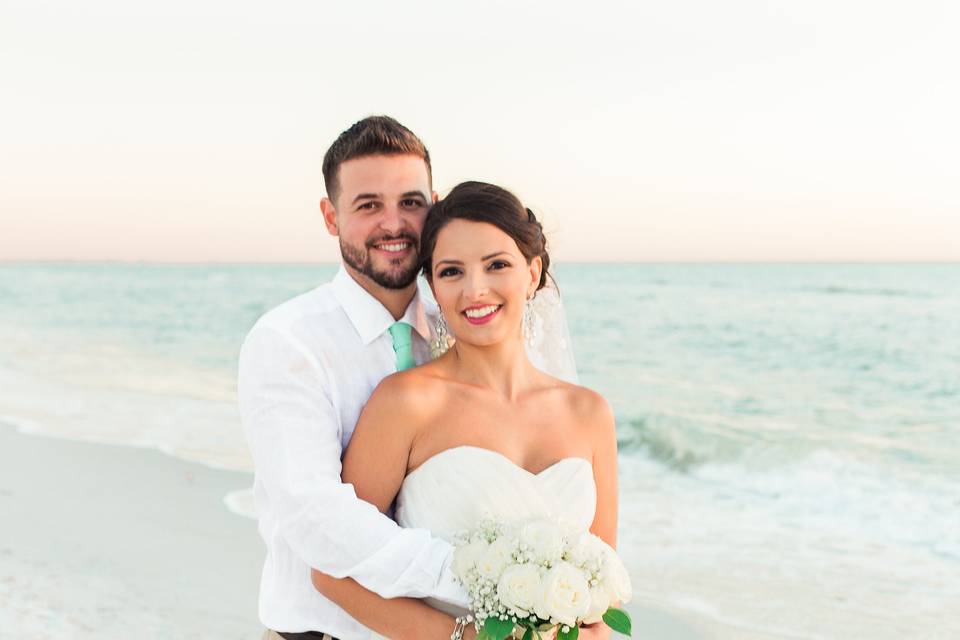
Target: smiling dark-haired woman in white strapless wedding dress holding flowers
479, 431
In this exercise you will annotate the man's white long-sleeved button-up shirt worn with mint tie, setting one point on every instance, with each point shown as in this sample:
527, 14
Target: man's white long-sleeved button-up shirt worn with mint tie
306, 370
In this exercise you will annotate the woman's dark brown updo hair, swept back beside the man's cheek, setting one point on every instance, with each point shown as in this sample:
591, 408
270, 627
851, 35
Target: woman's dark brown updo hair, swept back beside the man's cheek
483, 202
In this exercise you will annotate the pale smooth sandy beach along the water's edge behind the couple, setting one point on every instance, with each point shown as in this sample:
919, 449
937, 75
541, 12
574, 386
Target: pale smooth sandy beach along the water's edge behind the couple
104, 541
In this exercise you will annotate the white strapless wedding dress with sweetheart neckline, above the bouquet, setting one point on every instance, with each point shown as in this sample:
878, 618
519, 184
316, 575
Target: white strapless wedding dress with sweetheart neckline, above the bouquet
456, 488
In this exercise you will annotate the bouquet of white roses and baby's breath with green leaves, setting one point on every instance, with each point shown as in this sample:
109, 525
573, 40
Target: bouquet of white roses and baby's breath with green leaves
537, 577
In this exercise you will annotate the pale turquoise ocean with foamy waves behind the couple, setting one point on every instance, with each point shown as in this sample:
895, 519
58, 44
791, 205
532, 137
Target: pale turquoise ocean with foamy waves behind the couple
789, 434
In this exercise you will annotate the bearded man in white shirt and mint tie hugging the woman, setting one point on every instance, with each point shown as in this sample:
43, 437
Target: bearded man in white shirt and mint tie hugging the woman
306, 370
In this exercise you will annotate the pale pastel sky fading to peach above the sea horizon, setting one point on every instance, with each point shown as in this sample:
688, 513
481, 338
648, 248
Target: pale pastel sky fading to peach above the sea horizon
689, 130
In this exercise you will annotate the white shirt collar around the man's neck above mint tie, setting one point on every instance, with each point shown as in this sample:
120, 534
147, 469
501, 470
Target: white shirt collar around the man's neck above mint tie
368, 316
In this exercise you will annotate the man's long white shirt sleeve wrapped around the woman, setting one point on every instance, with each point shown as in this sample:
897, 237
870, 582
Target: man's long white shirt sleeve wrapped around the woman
294, 435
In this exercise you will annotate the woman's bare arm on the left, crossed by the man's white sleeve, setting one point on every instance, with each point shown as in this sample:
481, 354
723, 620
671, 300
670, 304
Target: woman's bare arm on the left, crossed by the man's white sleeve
375, 463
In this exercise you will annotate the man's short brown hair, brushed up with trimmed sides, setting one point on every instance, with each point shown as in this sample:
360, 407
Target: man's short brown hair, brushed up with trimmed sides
374, 135
